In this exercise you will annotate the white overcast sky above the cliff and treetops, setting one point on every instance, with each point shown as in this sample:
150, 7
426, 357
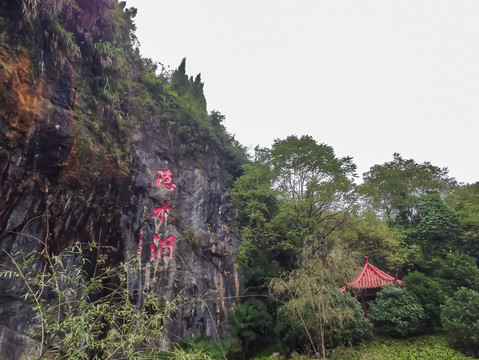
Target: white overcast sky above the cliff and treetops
368, 78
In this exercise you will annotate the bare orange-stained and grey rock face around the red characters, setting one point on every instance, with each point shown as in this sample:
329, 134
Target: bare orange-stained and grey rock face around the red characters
50, 194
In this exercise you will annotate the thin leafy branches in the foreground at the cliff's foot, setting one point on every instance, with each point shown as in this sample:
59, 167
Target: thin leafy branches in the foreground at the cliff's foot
85, 309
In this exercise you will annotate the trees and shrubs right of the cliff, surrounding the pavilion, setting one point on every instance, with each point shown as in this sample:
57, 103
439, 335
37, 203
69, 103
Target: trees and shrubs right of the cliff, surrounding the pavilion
306, 226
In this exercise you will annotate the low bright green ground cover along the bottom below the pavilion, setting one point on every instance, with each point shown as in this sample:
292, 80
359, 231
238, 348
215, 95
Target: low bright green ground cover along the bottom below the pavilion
424, 348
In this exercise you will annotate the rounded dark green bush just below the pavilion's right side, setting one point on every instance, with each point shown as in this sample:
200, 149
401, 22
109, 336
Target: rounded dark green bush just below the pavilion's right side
398, 312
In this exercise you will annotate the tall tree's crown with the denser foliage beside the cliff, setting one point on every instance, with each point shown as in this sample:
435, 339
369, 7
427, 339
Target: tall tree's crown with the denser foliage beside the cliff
296, 193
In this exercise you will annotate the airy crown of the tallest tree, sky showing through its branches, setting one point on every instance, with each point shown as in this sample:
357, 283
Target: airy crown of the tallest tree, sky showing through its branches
315, 188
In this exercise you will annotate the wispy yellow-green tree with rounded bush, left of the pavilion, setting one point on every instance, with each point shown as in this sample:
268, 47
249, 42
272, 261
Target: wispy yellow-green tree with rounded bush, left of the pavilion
314, 312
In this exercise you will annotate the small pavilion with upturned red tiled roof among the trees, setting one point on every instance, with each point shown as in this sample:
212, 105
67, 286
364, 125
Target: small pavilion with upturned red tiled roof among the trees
368, 282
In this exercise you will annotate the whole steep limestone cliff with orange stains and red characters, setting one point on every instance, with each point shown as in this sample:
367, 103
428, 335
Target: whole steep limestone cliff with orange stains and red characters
70, 170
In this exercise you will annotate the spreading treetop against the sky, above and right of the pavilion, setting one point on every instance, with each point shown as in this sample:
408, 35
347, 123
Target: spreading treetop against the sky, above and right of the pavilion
392, 189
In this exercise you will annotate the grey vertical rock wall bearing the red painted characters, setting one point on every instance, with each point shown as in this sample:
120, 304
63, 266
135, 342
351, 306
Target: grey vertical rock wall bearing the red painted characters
201, 270
